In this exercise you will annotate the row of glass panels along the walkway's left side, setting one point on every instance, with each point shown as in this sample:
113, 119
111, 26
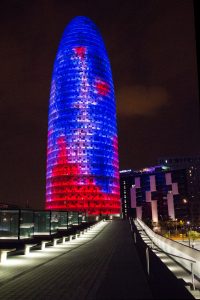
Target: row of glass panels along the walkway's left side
24, 224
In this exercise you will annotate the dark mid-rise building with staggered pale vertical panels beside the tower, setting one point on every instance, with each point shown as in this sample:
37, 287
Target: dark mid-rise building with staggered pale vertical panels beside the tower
155, 193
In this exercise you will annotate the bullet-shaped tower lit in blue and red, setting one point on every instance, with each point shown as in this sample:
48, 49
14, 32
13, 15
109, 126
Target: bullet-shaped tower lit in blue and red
82, 155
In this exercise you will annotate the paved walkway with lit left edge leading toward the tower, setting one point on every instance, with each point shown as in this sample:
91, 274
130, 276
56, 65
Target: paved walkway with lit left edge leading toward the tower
106, 267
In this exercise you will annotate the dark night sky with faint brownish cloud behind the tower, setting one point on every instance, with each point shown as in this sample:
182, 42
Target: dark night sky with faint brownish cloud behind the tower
151, 46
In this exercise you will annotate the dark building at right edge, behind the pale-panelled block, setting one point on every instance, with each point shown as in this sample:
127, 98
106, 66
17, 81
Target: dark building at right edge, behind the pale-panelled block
192, 169
